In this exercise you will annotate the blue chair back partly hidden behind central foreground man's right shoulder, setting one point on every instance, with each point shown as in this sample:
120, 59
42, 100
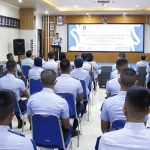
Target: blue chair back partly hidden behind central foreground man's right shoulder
71, 103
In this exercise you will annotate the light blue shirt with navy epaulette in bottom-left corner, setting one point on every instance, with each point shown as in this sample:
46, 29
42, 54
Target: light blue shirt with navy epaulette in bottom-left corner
12, 141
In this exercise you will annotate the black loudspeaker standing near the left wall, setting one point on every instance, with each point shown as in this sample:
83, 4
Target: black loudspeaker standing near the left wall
19, 47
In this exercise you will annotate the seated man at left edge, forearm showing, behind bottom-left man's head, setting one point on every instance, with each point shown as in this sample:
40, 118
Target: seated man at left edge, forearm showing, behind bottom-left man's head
12, 83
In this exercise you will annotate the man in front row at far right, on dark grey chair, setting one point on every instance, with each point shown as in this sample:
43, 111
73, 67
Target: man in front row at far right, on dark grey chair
142, 63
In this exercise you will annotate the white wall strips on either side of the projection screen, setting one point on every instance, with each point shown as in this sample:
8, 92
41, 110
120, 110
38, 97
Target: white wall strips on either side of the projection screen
62, 30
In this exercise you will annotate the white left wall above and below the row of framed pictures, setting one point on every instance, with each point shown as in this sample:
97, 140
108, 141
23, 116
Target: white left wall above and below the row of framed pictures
7, 34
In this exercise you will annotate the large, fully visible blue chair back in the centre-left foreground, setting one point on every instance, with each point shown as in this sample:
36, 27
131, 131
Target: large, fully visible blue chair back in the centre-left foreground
47, 132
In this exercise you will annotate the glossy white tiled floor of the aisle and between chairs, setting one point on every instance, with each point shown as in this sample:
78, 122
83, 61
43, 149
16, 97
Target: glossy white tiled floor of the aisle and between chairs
90, 129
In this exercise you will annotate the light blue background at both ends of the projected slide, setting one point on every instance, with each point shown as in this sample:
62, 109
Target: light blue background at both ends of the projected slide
138, 30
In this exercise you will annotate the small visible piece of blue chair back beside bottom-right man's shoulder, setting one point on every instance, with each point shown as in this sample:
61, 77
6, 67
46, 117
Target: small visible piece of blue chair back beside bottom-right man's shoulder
117, 123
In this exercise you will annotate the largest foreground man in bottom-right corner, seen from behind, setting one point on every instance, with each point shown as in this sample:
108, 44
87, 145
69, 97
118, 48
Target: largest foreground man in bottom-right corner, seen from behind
134, 135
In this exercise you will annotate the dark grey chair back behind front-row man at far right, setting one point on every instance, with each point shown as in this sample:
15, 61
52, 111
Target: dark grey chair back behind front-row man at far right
142, 76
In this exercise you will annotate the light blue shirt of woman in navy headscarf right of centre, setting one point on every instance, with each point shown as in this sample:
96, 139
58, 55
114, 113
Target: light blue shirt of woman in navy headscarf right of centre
81, 74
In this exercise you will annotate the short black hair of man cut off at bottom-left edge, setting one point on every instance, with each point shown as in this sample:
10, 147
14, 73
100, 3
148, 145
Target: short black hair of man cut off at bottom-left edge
6, 104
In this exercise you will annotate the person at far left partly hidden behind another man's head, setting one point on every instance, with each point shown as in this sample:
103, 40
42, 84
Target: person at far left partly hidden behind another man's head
18, 70
